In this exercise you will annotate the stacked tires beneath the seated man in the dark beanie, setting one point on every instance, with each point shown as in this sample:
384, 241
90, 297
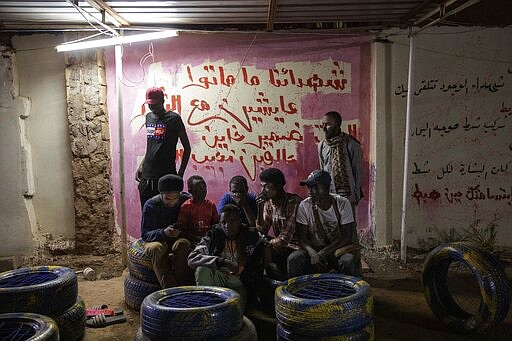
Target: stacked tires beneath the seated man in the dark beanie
141, 280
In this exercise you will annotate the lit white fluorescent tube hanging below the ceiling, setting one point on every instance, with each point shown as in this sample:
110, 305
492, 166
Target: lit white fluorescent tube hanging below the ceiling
116, 41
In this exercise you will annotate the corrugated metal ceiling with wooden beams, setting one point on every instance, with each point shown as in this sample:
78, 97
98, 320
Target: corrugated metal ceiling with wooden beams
259, 15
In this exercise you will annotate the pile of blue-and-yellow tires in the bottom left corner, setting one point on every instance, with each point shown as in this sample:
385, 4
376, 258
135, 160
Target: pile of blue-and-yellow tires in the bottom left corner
41, 302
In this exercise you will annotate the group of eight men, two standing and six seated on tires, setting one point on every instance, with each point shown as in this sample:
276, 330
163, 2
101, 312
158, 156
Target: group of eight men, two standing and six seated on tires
246, 236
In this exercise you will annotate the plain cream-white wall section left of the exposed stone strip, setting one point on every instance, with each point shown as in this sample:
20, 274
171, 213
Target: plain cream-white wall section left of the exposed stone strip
37, 150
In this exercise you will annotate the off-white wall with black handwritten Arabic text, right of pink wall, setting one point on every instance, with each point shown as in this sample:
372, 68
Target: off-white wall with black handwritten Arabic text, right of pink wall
461, 132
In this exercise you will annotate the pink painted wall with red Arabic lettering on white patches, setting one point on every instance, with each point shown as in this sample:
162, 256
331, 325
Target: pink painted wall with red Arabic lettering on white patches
249, 102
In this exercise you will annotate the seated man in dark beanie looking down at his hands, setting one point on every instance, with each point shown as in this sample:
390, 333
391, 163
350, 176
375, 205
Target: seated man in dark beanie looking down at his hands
160, 234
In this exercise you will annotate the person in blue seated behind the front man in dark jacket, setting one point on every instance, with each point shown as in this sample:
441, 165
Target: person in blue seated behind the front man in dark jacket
239, 195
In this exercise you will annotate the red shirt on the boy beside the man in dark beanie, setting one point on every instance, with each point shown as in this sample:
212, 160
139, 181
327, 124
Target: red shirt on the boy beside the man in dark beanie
196, 219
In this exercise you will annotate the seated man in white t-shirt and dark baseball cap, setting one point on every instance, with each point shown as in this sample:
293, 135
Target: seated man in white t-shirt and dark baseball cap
324, 225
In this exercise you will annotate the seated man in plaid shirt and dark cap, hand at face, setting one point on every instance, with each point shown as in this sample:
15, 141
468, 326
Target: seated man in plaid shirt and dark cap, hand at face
276, 220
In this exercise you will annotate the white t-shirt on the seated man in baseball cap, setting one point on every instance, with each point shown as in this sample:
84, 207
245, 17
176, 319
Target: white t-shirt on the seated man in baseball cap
328, 219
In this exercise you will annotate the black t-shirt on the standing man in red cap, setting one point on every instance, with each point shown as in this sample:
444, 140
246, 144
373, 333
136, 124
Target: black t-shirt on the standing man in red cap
162, 138
